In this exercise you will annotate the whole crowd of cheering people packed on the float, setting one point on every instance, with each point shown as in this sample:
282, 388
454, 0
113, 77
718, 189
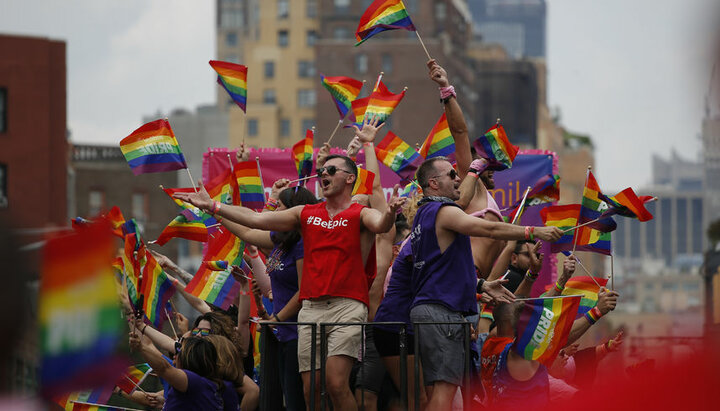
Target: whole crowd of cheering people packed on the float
433, 259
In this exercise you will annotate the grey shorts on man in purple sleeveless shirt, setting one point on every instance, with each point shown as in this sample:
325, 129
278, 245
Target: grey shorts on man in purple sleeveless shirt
442, 346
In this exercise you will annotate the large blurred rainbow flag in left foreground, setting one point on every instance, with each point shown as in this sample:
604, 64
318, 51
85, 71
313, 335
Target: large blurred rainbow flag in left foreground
81, 329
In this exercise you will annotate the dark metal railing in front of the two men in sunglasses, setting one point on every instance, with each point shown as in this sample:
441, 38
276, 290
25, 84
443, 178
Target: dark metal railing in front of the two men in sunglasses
465, 389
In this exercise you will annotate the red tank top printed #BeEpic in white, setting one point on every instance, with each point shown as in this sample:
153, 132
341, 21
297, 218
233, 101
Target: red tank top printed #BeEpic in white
332, 264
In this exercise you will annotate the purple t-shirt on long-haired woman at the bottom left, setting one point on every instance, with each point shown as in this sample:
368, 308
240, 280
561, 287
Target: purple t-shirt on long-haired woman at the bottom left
201, 394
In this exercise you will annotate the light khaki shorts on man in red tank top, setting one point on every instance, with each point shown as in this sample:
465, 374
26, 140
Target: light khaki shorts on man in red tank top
341, 340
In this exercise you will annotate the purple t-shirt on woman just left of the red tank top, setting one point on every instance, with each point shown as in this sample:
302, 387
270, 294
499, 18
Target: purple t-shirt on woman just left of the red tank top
282, 268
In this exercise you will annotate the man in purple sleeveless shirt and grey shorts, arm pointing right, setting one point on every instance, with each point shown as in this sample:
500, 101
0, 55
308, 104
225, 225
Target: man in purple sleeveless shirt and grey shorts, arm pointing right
443, 277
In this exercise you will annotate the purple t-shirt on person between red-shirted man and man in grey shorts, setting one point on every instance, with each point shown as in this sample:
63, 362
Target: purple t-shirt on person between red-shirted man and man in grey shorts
395, 306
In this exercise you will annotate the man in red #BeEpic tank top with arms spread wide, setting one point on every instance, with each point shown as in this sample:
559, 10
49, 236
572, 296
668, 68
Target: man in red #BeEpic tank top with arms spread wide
339, 265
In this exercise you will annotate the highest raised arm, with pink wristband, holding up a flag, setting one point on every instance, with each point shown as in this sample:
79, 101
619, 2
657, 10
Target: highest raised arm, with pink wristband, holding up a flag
456, 120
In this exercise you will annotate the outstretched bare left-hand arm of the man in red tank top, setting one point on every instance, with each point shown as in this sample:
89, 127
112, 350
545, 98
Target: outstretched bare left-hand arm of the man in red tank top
284, 220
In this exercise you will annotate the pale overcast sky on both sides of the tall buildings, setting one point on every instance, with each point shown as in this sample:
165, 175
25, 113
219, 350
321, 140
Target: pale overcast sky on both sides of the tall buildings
631, 74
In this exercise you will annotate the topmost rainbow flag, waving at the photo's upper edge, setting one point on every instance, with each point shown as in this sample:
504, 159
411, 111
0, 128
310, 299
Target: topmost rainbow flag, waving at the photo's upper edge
383, 15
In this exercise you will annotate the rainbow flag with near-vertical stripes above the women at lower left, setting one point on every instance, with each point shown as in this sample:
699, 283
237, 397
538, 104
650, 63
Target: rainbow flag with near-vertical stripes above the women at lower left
155, 287
